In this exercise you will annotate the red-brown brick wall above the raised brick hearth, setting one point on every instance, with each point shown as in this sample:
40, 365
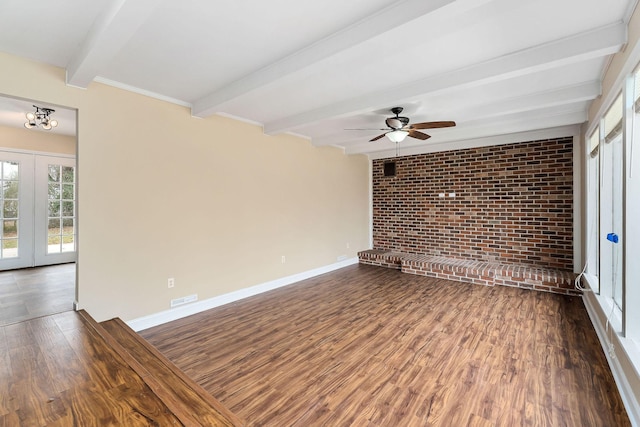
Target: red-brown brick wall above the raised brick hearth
513, 204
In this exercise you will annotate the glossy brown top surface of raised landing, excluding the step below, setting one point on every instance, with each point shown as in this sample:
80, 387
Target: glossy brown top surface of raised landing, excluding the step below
67, 376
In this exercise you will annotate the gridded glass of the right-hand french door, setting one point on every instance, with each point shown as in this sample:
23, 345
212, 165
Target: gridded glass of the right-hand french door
61, 232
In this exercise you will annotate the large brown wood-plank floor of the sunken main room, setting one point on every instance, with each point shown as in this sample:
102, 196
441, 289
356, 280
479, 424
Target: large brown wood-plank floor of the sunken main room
369, 346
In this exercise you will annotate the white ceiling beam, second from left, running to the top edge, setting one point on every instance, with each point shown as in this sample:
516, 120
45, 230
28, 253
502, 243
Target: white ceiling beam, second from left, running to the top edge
374, 25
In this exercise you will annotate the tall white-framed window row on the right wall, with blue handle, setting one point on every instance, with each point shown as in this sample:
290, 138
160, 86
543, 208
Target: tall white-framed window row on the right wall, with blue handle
613, 209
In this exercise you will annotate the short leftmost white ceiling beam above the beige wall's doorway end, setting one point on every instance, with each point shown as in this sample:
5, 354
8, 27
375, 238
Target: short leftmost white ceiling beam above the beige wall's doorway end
112, 29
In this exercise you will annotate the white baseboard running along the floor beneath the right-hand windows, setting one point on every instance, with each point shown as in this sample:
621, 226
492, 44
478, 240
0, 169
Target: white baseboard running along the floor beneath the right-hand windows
629, 397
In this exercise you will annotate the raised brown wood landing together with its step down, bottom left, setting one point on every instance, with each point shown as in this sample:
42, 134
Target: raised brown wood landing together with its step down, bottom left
67, 370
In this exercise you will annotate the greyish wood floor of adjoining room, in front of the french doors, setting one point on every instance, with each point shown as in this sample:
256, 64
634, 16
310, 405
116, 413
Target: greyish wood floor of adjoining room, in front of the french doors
33, 292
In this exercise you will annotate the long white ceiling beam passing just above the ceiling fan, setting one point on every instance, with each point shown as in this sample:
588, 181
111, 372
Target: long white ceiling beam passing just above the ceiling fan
580, 47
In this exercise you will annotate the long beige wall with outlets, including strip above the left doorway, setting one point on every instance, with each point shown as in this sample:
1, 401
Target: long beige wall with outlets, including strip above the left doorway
213, 202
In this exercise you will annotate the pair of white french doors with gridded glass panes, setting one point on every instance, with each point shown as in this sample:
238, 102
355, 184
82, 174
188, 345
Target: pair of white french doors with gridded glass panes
38, 210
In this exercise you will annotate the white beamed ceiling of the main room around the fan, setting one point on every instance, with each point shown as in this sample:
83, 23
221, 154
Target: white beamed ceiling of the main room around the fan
496, 67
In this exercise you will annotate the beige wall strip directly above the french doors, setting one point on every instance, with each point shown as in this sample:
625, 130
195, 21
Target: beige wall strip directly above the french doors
30, 140
